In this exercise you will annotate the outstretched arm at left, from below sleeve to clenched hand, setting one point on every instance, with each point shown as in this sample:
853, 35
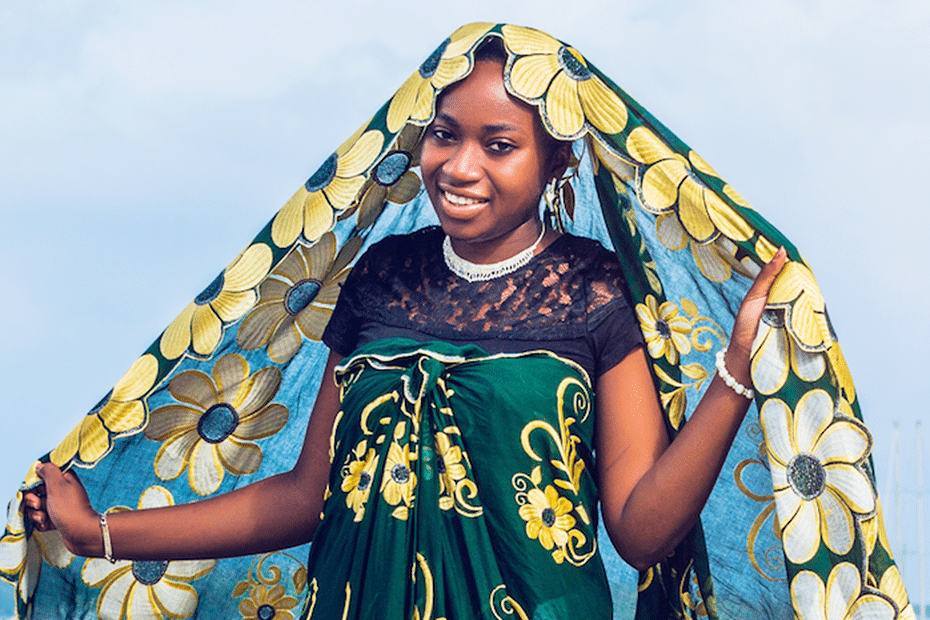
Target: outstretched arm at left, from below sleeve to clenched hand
274, 513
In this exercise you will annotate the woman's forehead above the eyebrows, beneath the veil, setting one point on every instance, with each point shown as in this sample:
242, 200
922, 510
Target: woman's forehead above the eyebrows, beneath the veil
481, 100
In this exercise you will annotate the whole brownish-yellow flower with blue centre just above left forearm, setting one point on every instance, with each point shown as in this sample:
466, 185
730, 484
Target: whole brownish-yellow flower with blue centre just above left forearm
214, 426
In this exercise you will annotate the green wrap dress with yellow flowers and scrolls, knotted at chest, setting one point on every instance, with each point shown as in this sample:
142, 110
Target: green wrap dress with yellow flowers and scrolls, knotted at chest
462, 486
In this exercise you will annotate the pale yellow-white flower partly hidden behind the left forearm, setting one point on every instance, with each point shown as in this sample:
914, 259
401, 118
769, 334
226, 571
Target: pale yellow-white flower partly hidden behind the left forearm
146, 589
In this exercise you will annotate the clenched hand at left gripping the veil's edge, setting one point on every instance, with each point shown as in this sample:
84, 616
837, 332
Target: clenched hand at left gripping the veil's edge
61, 503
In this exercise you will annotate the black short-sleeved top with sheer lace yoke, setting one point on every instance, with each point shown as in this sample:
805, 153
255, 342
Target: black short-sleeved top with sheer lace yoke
568, 299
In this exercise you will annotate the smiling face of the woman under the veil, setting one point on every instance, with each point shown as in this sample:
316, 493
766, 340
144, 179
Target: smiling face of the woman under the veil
485, 162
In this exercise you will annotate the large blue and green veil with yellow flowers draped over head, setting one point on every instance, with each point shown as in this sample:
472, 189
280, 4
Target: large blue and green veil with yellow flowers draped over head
223, 396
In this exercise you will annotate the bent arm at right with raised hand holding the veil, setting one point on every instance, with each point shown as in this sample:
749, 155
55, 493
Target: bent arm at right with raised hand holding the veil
652, 492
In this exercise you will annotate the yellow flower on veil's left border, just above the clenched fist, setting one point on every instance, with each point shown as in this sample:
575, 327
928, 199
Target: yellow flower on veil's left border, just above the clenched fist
122, 411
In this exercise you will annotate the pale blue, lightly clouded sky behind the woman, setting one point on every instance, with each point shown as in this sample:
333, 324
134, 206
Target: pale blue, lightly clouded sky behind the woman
142, 145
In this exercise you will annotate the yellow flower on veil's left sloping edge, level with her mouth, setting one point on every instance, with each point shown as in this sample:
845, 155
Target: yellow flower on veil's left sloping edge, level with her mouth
331, 189
